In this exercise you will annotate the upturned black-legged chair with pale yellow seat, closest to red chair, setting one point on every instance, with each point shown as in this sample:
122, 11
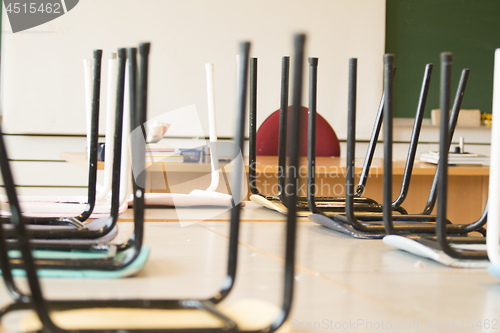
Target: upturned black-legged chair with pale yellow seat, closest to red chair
325, 208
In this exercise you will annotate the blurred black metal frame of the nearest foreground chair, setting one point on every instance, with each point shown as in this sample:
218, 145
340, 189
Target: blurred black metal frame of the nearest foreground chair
41, 305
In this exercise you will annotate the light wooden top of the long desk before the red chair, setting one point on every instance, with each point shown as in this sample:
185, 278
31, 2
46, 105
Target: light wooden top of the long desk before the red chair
324, 165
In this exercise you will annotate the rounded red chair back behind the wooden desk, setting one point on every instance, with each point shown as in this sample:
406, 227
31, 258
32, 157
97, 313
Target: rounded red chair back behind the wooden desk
327, 143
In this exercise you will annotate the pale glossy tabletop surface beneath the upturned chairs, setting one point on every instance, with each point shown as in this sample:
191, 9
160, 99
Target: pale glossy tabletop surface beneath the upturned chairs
342, 284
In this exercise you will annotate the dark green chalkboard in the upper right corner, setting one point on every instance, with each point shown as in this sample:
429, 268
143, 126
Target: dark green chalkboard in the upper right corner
417, 31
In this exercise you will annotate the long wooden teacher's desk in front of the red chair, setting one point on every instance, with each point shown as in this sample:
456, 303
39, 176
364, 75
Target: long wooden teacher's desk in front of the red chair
467, 185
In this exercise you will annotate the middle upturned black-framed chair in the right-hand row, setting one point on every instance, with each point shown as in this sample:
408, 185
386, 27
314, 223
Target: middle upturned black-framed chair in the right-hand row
375, 225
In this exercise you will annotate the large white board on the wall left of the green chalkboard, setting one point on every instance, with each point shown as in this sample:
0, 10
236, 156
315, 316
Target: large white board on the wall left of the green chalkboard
42, 73
